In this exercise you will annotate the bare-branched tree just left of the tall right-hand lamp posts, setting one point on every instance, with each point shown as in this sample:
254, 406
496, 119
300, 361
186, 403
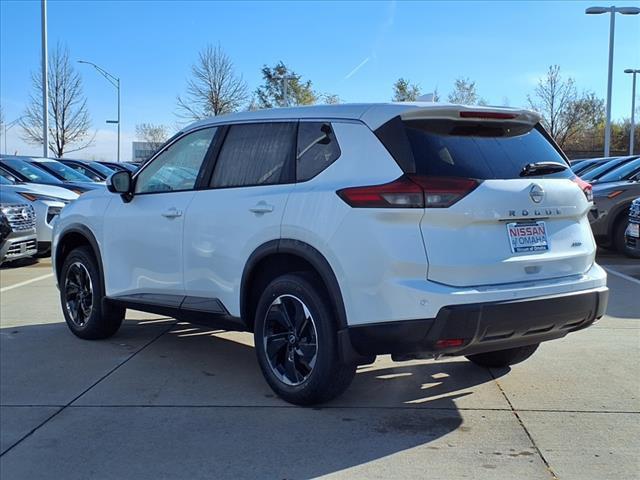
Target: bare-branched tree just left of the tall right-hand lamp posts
564, 112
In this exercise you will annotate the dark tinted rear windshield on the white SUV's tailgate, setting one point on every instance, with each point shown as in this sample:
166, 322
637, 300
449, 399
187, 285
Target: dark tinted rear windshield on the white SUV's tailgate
481, 150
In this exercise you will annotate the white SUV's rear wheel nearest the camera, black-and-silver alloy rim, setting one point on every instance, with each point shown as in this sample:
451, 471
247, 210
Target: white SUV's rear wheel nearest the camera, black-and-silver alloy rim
297, 349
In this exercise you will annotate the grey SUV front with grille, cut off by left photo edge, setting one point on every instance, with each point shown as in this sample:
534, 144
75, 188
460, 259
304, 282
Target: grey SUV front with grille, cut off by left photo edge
18, 228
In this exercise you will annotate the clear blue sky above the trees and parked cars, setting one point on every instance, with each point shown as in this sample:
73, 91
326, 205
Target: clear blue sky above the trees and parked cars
353, 49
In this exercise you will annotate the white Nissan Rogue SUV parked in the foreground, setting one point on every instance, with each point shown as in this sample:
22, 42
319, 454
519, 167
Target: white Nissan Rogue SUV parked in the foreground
338, 233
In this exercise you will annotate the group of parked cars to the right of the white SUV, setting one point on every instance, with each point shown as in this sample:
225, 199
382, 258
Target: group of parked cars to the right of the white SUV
616, 183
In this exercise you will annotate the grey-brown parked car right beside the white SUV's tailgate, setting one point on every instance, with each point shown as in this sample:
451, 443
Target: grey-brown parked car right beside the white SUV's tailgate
612, 197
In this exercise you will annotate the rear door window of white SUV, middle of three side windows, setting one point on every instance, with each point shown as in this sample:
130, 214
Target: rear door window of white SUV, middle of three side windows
255, 154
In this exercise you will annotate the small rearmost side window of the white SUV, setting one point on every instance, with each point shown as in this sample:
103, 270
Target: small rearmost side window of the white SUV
317, 149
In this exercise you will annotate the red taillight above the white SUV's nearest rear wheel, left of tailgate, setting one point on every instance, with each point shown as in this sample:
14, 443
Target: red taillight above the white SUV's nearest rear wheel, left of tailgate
410, 191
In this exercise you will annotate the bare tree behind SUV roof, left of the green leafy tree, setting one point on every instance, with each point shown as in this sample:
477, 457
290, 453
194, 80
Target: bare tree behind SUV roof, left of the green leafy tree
214, 88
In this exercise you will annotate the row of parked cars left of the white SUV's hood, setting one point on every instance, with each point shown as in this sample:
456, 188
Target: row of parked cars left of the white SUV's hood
33, 193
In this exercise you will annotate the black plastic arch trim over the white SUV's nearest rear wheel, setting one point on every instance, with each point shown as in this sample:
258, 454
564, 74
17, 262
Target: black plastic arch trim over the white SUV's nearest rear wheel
277, 257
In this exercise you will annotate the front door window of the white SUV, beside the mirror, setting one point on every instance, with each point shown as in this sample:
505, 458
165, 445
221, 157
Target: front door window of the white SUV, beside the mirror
177, 167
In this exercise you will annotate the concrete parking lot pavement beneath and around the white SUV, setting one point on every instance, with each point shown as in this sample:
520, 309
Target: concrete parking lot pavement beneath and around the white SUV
169, 400
